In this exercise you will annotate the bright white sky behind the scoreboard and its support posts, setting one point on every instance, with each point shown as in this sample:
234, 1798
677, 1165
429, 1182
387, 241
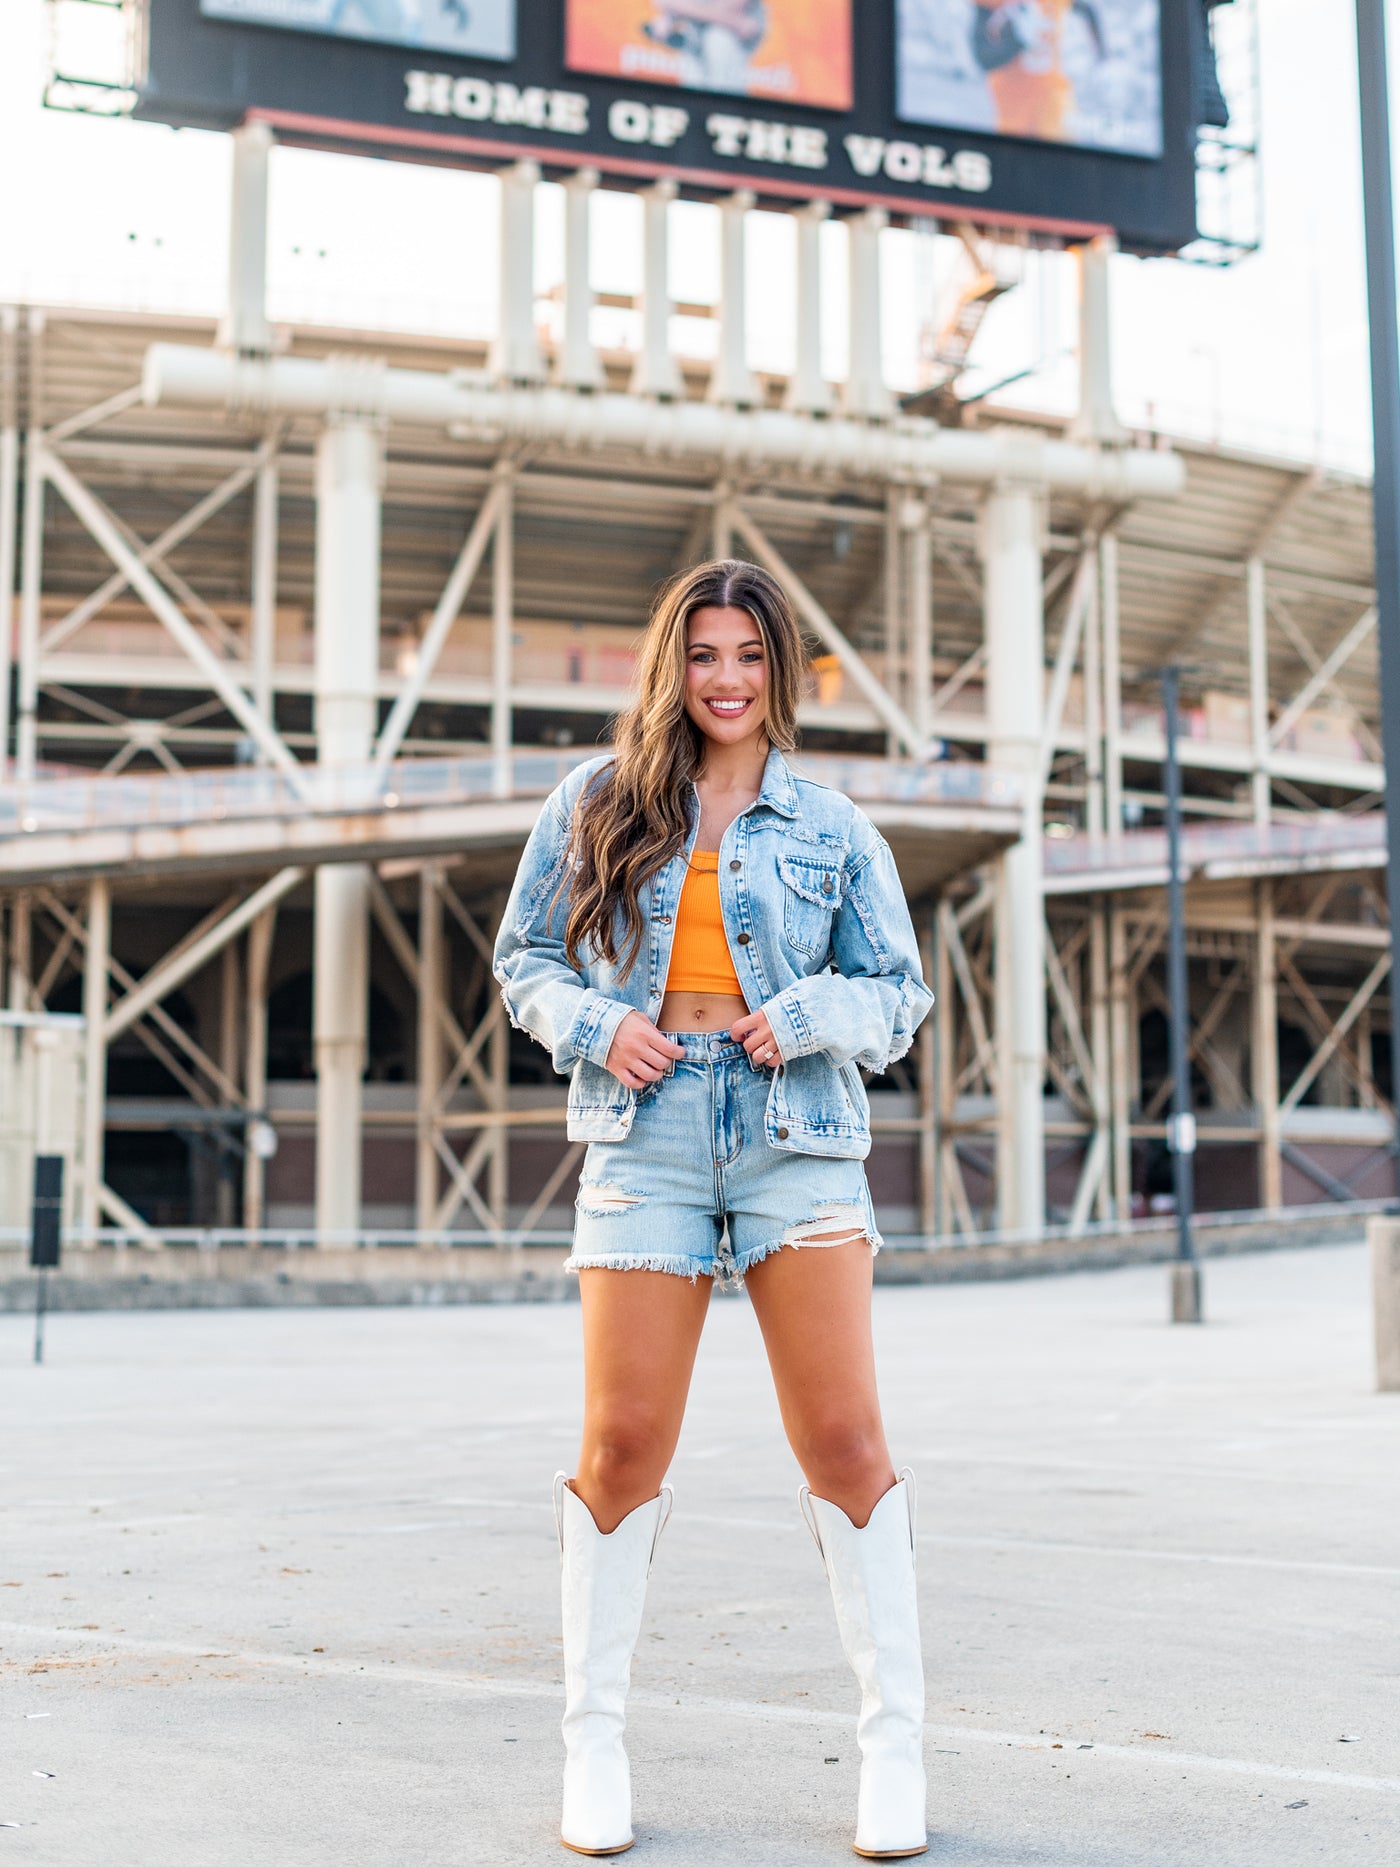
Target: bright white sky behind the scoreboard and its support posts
1268, 356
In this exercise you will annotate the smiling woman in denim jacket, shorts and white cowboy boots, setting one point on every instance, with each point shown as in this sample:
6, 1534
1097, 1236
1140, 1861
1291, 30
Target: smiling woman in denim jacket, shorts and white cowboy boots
712, 948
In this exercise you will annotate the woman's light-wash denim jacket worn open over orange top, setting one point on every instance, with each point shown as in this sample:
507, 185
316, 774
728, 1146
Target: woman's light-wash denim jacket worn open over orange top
820, 938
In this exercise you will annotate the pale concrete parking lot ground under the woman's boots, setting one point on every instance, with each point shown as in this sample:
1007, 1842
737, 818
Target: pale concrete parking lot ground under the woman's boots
281, 1588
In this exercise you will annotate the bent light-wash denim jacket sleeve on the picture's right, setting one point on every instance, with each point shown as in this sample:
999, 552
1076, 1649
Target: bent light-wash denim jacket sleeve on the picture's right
867, 1011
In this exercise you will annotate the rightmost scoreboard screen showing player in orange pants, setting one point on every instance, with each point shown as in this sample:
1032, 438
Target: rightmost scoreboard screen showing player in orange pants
1074, 72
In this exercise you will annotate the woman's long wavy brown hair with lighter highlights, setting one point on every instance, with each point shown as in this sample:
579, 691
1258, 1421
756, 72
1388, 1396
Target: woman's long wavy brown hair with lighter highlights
636, 815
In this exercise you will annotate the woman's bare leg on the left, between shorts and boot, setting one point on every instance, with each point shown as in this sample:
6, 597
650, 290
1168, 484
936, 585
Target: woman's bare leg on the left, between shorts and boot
641, 1334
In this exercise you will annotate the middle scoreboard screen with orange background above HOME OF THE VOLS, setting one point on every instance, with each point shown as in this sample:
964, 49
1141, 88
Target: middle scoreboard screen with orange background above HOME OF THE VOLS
791, 51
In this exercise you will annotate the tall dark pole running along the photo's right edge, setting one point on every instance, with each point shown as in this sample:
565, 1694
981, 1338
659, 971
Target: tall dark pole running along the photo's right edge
1379, 188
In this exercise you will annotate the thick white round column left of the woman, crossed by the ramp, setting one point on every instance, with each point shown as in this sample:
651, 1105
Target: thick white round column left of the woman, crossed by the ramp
348, 498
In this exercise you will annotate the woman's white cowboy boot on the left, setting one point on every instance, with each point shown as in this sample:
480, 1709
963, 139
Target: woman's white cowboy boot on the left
604, 1595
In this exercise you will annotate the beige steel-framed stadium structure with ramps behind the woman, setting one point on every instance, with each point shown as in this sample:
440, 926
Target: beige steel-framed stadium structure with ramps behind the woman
307, 623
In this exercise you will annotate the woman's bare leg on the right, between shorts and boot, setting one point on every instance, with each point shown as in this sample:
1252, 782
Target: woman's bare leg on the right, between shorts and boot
813, 1306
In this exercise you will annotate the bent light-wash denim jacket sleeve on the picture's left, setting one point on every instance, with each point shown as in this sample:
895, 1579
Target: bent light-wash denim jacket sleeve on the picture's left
544, 994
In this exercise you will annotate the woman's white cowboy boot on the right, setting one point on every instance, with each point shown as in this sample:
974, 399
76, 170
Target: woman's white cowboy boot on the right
873, 1586
